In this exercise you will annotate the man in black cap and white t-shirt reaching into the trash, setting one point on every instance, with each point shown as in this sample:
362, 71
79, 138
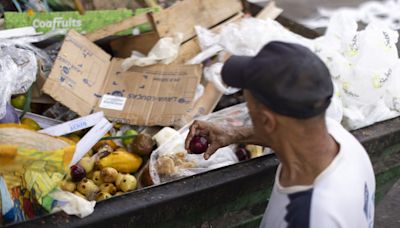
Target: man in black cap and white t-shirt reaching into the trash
325, 178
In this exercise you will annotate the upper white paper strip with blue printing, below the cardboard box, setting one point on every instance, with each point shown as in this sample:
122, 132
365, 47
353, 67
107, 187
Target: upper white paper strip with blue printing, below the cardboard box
74, 125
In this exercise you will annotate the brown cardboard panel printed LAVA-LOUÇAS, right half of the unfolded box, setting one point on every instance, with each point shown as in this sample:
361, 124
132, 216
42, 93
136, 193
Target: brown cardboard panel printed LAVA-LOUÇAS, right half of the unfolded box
156, 95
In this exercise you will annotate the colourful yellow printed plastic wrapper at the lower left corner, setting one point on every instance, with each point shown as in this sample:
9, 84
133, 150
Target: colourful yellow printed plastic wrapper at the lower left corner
31, 167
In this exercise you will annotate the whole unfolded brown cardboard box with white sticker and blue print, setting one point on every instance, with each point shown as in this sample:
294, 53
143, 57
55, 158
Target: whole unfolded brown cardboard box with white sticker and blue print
86, 79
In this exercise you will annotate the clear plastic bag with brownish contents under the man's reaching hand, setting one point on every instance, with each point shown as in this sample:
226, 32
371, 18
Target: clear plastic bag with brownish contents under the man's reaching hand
170, 161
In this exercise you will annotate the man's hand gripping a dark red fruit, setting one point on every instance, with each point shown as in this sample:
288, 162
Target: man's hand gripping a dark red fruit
217, 136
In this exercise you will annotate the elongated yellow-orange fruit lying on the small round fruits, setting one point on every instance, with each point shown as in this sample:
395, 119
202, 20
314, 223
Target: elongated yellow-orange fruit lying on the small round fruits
122, 161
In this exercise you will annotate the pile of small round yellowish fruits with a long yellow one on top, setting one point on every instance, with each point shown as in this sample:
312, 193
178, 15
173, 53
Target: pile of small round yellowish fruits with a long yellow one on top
107, 169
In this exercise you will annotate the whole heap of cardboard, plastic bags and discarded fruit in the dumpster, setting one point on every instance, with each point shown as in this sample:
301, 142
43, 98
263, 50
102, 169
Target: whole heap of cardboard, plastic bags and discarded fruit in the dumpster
97, 103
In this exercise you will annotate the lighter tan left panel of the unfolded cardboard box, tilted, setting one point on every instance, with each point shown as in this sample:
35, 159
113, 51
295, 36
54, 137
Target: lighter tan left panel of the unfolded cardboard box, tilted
78, 74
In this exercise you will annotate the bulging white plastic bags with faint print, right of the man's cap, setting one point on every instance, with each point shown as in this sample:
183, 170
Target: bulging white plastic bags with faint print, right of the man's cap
363, 65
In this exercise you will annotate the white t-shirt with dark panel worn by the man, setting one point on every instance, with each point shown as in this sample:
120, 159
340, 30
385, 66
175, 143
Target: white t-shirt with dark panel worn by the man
341, 196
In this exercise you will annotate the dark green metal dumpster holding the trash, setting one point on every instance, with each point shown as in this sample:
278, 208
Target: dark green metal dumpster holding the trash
235, 195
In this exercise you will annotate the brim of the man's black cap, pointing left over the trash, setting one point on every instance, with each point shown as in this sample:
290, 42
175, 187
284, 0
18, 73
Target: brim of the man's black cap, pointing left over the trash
233, 71
